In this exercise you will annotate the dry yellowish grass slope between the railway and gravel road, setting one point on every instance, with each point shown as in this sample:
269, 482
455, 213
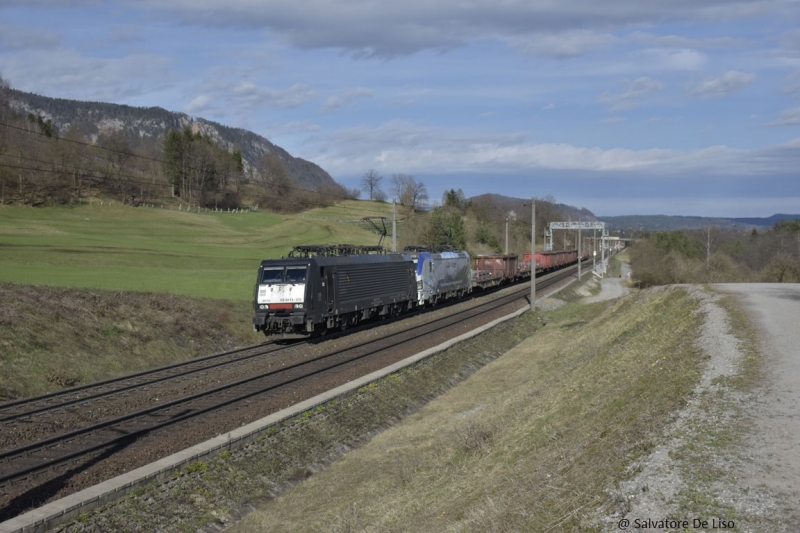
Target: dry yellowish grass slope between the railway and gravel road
531, 442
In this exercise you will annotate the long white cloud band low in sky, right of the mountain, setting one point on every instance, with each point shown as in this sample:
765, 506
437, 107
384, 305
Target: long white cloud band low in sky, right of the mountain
407, 147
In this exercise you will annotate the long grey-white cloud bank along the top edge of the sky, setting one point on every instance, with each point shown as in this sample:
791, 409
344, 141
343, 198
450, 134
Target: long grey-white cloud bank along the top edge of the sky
386, 29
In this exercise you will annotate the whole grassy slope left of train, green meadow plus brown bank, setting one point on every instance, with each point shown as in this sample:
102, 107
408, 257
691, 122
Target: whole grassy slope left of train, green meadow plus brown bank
101, 285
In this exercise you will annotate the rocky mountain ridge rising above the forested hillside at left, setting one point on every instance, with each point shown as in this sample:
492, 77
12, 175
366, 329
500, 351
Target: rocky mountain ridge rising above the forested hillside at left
144, 127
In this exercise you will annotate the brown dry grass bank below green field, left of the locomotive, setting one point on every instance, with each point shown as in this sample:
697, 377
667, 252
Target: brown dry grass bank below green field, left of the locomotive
52, 338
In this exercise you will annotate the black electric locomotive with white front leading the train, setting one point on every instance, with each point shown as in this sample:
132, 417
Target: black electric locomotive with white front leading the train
299, 297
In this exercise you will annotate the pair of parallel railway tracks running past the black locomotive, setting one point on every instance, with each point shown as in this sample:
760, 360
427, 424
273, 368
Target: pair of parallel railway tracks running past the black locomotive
34, 463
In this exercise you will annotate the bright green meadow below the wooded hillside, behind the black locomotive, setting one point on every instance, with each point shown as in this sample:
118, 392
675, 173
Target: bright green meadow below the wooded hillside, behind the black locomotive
163, 250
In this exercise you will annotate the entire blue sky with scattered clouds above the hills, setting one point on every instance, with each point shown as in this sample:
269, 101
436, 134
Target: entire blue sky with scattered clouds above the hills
685, 107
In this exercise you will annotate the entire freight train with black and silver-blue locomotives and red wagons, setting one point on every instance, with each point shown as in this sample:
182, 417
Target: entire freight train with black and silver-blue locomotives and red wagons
324, 288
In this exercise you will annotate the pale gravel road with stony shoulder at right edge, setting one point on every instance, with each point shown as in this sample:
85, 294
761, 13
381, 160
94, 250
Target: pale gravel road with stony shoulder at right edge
732, 453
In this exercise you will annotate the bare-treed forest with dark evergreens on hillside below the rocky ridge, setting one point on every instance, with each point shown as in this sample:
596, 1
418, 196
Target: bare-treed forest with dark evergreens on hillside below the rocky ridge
42, 165
